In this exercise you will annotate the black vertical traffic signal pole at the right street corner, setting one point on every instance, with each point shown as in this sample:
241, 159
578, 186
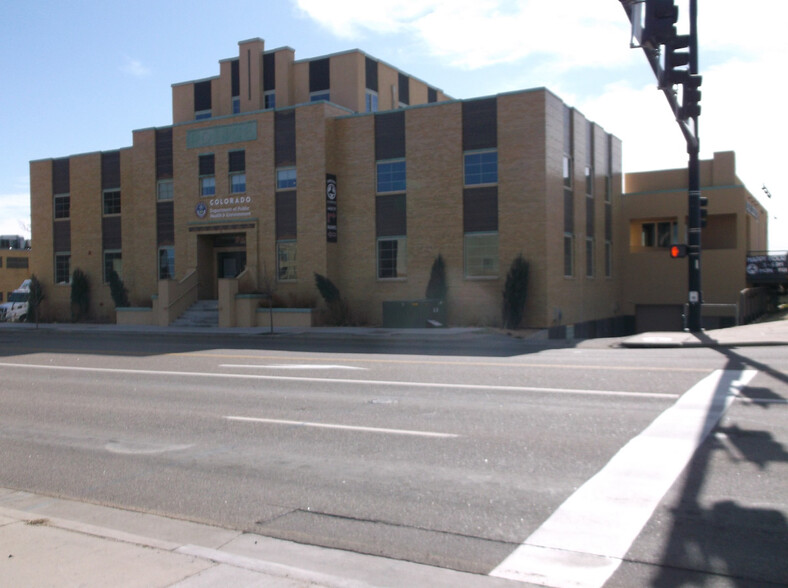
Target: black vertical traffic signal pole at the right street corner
694, 319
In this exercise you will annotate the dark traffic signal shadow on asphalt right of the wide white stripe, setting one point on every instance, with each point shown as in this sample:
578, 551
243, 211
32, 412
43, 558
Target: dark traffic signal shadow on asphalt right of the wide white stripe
745, 543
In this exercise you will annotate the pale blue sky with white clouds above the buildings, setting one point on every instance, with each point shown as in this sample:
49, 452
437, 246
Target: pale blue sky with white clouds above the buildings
79, 76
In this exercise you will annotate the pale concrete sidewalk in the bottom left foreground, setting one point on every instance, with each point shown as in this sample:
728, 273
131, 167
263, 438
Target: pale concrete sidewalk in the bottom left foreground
47, 541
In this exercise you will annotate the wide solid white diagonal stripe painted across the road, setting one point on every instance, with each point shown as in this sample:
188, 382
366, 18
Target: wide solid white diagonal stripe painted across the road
583, 542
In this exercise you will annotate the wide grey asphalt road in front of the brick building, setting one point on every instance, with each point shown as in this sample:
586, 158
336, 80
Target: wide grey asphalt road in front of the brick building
446, 452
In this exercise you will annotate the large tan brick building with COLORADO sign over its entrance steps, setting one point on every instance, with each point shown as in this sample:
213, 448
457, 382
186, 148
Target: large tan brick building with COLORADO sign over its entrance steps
278, 169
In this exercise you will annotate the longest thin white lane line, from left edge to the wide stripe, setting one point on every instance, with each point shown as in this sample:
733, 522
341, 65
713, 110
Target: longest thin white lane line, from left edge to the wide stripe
347, 381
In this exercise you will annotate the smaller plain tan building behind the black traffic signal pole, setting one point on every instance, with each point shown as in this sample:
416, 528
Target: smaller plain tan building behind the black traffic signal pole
654, 215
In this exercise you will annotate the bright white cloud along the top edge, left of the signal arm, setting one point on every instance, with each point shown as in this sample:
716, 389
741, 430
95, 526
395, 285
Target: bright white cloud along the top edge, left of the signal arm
477, 33
